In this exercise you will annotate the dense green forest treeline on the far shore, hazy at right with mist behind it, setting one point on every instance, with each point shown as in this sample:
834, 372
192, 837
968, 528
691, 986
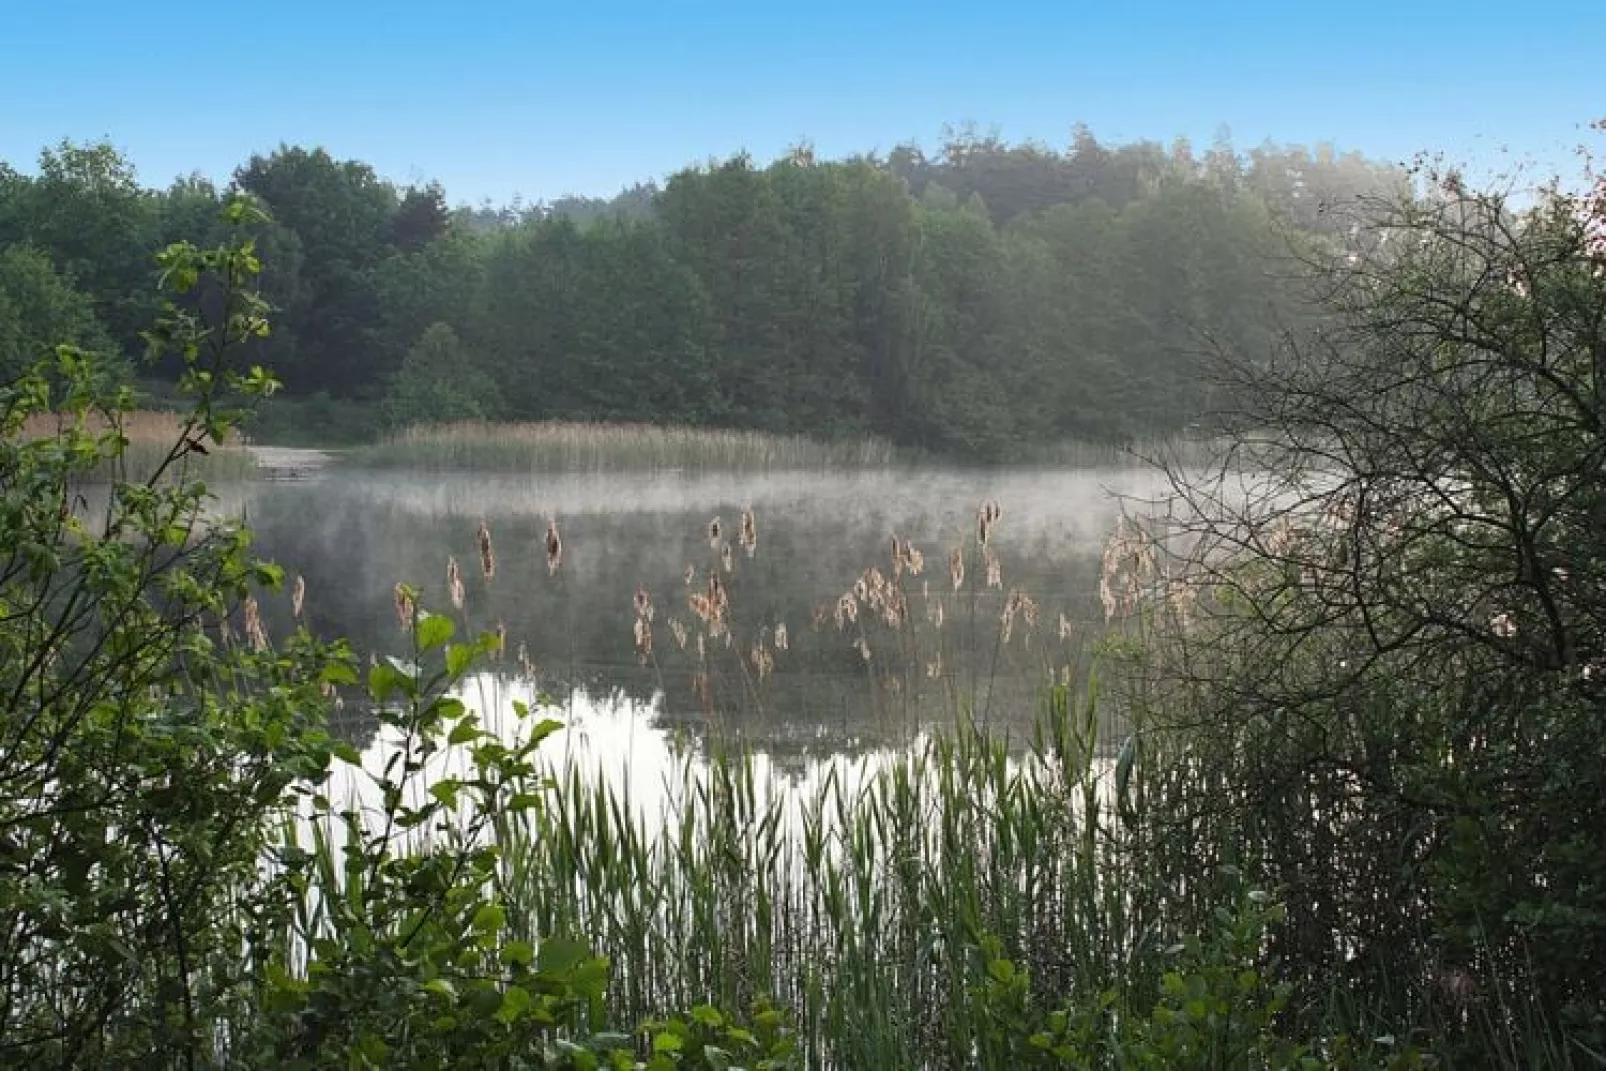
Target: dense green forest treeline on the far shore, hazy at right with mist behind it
966, 303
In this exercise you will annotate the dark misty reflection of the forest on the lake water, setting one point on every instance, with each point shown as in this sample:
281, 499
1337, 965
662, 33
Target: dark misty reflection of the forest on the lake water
354, 535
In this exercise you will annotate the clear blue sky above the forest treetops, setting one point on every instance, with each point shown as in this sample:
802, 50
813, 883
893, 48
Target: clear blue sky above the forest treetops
542, 99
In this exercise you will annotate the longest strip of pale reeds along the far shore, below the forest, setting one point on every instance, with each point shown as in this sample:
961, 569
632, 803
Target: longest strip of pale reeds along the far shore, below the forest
582, 447
